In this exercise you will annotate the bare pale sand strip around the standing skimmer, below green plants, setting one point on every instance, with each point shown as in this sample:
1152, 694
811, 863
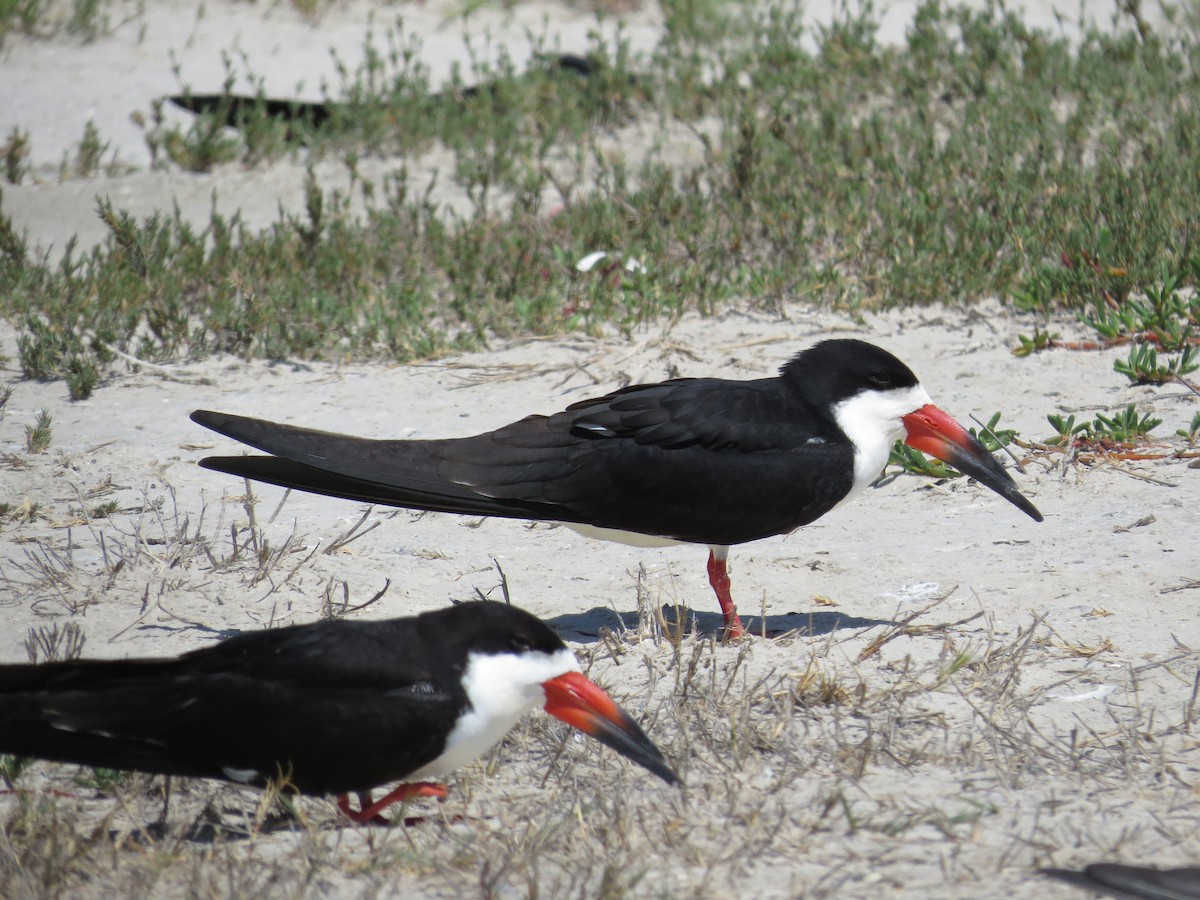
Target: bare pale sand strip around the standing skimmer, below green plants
903, 543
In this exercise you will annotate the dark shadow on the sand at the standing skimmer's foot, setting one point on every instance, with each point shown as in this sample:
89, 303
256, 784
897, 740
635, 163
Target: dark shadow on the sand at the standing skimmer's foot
586, 627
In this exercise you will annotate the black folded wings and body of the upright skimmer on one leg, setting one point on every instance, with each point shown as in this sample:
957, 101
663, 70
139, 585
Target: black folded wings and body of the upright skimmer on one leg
706, 461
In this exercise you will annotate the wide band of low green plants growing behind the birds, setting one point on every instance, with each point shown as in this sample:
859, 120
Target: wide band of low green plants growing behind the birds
981, 159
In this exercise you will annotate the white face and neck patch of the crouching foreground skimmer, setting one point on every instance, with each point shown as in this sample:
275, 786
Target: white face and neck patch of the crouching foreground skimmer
501, 689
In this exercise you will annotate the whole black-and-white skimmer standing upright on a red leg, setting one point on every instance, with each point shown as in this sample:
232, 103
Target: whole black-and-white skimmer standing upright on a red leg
692, 460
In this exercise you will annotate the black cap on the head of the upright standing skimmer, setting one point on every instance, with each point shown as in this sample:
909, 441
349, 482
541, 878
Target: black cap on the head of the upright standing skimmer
833, 371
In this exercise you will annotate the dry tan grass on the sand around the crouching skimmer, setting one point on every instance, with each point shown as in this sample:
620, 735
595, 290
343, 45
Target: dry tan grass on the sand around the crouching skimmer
937, 757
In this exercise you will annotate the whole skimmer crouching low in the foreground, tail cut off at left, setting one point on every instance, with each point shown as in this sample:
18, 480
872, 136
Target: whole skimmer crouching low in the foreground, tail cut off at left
333, 707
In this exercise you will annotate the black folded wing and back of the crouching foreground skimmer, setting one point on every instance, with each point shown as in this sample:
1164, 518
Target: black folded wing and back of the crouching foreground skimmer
335, 707
